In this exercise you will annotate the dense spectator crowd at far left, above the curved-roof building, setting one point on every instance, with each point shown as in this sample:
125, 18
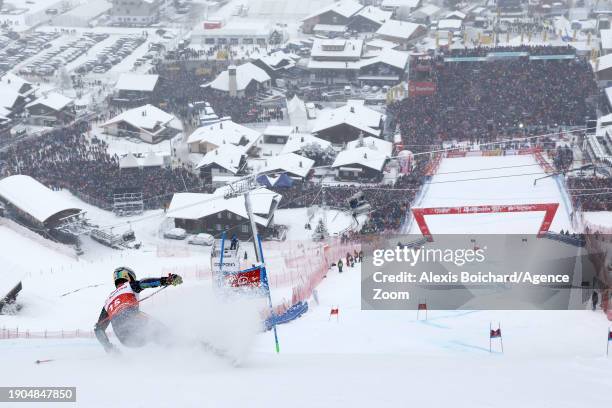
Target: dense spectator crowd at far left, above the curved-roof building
64, 158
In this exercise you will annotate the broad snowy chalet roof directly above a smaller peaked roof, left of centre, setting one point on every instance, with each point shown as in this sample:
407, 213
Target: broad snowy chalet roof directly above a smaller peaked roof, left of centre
224, 132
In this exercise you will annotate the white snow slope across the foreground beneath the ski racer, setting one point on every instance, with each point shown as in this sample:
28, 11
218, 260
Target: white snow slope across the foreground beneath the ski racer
366, 358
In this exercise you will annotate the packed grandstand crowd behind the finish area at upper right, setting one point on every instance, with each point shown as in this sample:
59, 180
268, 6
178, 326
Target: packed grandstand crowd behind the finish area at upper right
483, 101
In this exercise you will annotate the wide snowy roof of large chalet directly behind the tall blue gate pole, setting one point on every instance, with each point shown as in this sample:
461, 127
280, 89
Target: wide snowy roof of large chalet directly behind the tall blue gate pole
194, 206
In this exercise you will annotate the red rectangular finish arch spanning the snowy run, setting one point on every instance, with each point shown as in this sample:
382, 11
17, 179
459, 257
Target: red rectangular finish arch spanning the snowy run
550, 210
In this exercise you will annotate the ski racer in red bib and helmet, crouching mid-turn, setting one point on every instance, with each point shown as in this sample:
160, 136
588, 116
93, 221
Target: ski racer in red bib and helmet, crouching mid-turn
132, 327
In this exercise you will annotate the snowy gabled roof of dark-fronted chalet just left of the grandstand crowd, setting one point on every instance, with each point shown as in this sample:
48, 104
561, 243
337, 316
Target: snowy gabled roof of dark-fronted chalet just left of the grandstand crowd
354, 114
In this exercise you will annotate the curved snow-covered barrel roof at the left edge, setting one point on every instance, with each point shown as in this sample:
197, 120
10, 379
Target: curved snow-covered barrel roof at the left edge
32, 197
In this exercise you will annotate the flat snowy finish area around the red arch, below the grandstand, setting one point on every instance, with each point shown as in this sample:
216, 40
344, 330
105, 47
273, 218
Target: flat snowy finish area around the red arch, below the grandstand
488, 181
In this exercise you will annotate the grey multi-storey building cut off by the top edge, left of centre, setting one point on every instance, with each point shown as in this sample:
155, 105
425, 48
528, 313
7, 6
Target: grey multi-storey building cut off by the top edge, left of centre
136, 12
